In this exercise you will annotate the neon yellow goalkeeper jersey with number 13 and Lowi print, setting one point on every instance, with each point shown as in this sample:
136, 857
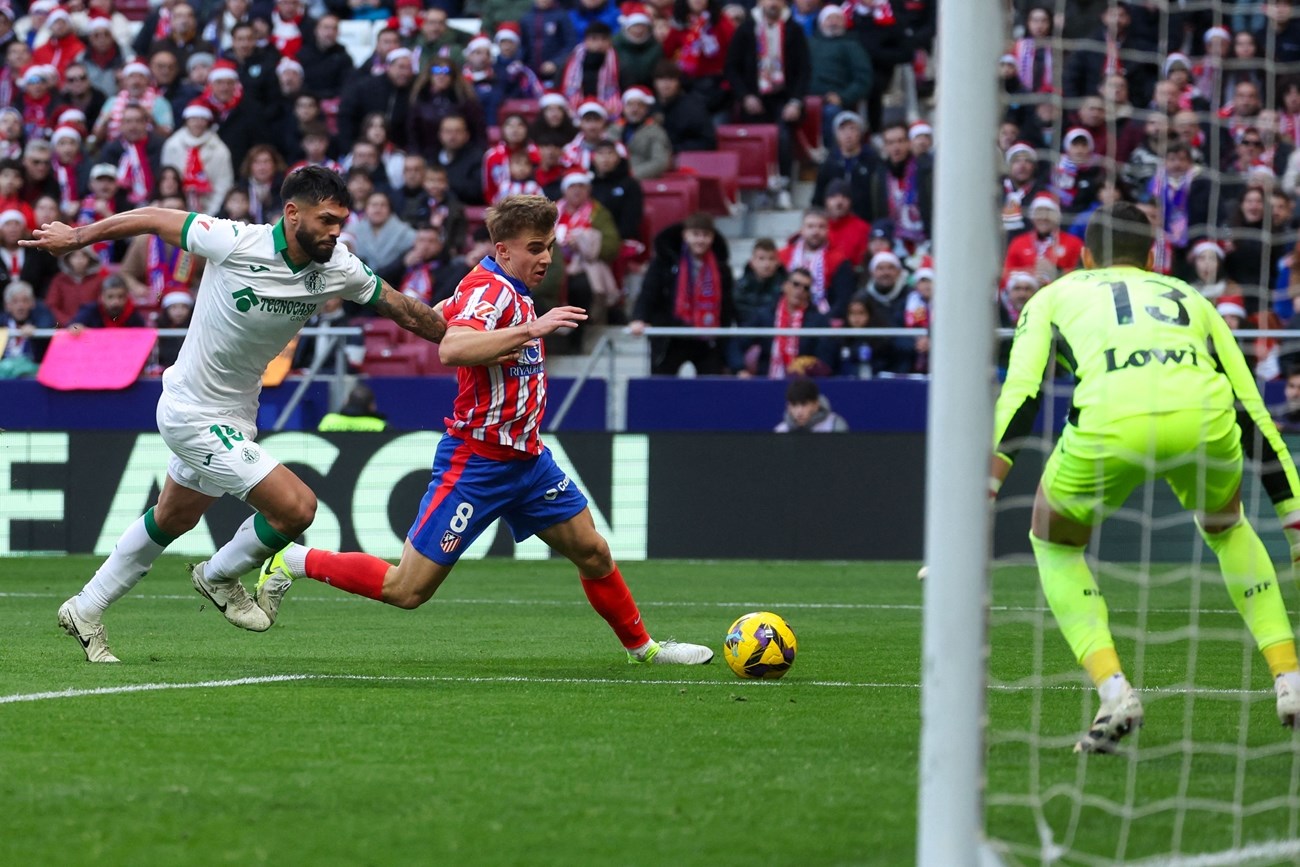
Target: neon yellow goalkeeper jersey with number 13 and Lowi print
1138, 344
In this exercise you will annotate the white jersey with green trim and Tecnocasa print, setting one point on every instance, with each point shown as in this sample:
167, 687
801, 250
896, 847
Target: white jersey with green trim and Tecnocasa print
252, 302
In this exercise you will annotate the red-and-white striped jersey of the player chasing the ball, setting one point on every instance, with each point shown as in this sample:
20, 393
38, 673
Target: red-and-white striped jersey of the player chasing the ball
499, 409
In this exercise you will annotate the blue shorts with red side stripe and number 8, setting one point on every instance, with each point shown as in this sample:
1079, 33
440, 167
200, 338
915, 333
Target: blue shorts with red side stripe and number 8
470, 492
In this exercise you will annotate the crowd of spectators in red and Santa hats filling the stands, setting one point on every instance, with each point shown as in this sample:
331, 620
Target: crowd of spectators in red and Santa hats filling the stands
206, 107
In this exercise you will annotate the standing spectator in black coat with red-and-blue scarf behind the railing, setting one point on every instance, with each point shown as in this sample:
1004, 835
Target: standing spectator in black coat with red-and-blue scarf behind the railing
687, 285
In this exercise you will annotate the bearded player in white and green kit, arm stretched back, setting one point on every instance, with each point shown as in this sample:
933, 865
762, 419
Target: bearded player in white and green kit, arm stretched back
261, 287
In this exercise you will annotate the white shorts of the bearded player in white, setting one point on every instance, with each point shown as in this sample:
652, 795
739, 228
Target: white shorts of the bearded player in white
213, 453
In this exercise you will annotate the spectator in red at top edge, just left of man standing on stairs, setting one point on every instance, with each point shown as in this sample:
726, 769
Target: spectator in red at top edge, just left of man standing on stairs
697, 42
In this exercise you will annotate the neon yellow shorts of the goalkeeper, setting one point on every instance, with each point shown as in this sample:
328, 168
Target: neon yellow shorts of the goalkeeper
1091, 474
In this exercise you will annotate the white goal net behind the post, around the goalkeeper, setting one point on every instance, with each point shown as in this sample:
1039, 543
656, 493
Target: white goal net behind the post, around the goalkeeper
1193, 111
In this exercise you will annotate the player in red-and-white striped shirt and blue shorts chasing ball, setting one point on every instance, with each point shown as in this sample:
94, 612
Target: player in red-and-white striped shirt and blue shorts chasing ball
492, 463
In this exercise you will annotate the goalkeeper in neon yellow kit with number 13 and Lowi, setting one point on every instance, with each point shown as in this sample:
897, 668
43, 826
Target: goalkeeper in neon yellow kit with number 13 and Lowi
1160, 380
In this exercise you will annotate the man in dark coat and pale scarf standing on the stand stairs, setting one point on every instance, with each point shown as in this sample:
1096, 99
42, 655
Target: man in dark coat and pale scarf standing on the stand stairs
768, 67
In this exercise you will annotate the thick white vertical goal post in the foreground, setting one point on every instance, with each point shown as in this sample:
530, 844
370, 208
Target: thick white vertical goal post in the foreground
968, 258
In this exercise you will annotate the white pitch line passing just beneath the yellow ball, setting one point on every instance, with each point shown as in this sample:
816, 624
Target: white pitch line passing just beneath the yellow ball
506, 679
